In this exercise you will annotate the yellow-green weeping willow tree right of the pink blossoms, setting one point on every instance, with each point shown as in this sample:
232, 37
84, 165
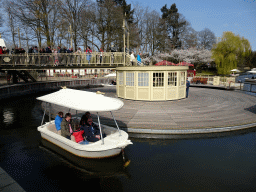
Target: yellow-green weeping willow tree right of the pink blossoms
230, 52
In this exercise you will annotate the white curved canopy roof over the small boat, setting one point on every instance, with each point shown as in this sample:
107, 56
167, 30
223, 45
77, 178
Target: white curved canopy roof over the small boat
82, 100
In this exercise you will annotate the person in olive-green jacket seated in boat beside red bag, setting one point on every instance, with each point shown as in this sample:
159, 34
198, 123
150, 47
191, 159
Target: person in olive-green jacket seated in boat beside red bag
67, 126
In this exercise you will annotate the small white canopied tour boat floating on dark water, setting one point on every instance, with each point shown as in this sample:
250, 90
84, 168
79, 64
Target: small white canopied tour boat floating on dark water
111, 145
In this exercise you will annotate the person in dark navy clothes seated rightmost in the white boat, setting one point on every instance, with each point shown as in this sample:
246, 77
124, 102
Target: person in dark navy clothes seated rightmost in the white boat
91, 130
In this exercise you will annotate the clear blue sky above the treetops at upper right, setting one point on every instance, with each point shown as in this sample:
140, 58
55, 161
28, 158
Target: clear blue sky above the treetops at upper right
237, 16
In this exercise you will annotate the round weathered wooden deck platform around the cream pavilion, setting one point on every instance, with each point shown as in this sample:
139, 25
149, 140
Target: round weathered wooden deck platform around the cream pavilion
204, 109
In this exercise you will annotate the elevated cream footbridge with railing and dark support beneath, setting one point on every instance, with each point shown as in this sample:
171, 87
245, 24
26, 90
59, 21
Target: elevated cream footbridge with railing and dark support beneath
23, 65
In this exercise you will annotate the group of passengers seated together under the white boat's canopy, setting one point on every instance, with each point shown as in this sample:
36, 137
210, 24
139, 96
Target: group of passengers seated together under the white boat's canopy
84, 132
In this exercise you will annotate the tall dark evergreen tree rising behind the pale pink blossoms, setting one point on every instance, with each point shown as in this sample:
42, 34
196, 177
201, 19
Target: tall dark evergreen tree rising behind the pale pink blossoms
175, 24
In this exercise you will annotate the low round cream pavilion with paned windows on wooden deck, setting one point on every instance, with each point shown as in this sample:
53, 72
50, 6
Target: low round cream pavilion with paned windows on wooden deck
152, 83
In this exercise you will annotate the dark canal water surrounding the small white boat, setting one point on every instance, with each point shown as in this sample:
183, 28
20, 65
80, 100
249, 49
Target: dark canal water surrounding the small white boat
224, 162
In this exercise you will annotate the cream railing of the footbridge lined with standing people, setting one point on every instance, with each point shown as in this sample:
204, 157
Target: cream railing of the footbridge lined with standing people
65, 59
